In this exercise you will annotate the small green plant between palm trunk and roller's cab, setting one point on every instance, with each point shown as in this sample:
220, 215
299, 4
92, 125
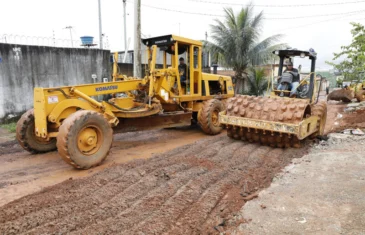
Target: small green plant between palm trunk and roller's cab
257, 81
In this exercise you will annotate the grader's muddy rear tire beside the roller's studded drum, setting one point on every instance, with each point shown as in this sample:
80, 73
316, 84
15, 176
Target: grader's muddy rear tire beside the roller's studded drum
208, 116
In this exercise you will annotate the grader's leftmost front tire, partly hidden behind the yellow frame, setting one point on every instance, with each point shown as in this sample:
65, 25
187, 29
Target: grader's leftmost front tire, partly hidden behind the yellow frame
26, 136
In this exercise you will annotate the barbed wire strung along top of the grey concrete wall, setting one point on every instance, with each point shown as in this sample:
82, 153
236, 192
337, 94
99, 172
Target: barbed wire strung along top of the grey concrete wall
47, 41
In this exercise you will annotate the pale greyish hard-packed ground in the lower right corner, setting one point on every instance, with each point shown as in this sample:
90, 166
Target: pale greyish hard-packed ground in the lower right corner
321, 193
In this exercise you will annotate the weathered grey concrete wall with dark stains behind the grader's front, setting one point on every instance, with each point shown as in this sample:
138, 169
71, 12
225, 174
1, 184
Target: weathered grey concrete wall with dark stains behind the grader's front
24, 67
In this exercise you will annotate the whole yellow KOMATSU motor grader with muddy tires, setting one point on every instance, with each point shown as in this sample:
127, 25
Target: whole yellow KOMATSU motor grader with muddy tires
81, 127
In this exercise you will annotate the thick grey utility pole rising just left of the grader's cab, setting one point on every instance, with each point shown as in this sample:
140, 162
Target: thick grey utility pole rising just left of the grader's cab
137, 68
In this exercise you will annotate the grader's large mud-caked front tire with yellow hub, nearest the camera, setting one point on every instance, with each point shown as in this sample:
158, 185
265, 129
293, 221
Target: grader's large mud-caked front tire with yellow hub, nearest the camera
69, 139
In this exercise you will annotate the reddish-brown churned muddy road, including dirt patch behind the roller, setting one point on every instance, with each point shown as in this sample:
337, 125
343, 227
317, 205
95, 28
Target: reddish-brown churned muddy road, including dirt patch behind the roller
188, 187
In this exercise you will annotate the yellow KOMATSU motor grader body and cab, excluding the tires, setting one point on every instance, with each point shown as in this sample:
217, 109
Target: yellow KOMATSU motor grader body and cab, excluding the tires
53, 105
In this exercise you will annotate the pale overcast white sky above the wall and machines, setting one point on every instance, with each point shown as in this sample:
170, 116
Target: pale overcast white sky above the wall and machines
323, 25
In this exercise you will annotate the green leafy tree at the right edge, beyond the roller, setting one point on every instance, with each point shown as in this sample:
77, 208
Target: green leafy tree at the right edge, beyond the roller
353, 64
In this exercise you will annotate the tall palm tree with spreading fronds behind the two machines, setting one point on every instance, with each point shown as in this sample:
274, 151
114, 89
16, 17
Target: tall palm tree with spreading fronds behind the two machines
236, 43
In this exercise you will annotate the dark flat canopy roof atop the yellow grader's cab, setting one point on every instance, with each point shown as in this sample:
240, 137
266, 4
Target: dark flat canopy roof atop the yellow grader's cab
167, 40
